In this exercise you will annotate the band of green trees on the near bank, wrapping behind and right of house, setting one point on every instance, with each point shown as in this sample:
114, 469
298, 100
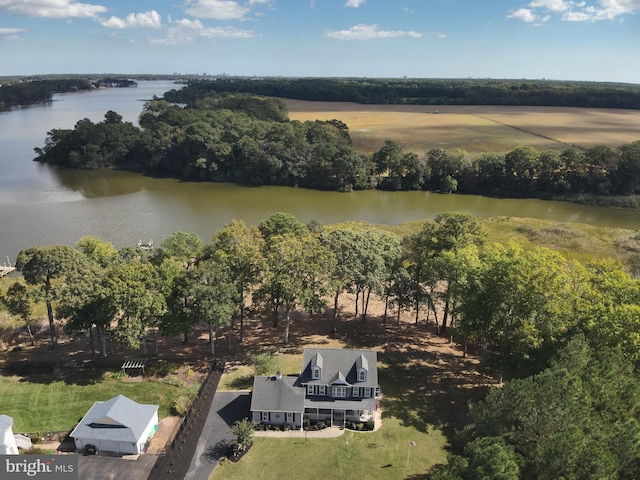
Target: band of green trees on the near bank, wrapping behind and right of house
565, 335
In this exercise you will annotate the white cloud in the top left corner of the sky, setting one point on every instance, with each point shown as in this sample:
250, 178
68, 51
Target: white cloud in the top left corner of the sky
51, 8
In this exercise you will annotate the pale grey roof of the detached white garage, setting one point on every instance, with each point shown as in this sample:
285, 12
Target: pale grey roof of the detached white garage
118, 419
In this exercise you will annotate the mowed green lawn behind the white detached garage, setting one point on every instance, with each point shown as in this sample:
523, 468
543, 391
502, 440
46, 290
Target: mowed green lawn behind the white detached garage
42, 404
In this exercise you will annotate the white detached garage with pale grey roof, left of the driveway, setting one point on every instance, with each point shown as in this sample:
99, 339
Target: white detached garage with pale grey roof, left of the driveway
118, 425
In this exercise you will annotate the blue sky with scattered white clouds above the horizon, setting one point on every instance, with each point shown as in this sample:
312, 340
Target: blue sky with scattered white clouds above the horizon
595, 40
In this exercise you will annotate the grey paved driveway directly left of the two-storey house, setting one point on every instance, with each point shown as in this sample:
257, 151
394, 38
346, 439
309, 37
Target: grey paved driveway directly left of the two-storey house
226, 409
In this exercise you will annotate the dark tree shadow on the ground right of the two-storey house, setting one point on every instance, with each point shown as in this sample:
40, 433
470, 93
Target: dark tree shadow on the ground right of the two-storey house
425, 380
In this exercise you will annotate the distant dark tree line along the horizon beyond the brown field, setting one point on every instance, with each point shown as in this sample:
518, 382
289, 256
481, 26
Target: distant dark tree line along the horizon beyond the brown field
432, 91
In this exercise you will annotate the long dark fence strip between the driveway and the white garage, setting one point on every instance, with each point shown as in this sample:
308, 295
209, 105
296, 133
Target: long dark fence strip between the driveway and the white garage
174, 464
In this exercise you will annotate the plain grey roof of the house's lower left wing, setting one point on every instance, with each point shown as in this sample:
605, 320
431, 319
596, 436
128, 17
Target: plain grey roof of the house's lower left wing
281, 395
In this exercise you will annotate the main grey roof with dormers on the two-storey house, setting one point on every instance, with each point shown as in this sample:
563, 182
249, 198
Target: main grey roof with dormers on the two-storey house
340, 365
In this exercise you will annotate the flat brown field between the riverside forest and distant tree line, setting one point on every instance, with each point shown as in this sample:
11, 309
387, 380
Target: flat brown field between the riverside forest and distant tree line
475, 129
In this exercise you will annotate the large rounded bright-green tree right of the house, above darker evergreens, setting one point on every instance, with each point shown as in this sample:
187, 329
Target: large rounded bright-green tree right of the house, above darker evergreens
521, 301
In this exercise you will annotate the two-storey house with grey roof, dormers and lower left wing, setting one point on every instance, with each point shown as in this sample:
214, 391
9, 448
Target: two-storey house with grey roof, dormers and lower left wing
334, 386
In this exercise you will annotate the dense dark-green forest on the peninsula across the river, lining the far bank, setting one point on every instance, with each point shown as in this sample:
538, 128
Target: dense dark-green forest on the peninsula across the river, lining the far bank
248, 139
